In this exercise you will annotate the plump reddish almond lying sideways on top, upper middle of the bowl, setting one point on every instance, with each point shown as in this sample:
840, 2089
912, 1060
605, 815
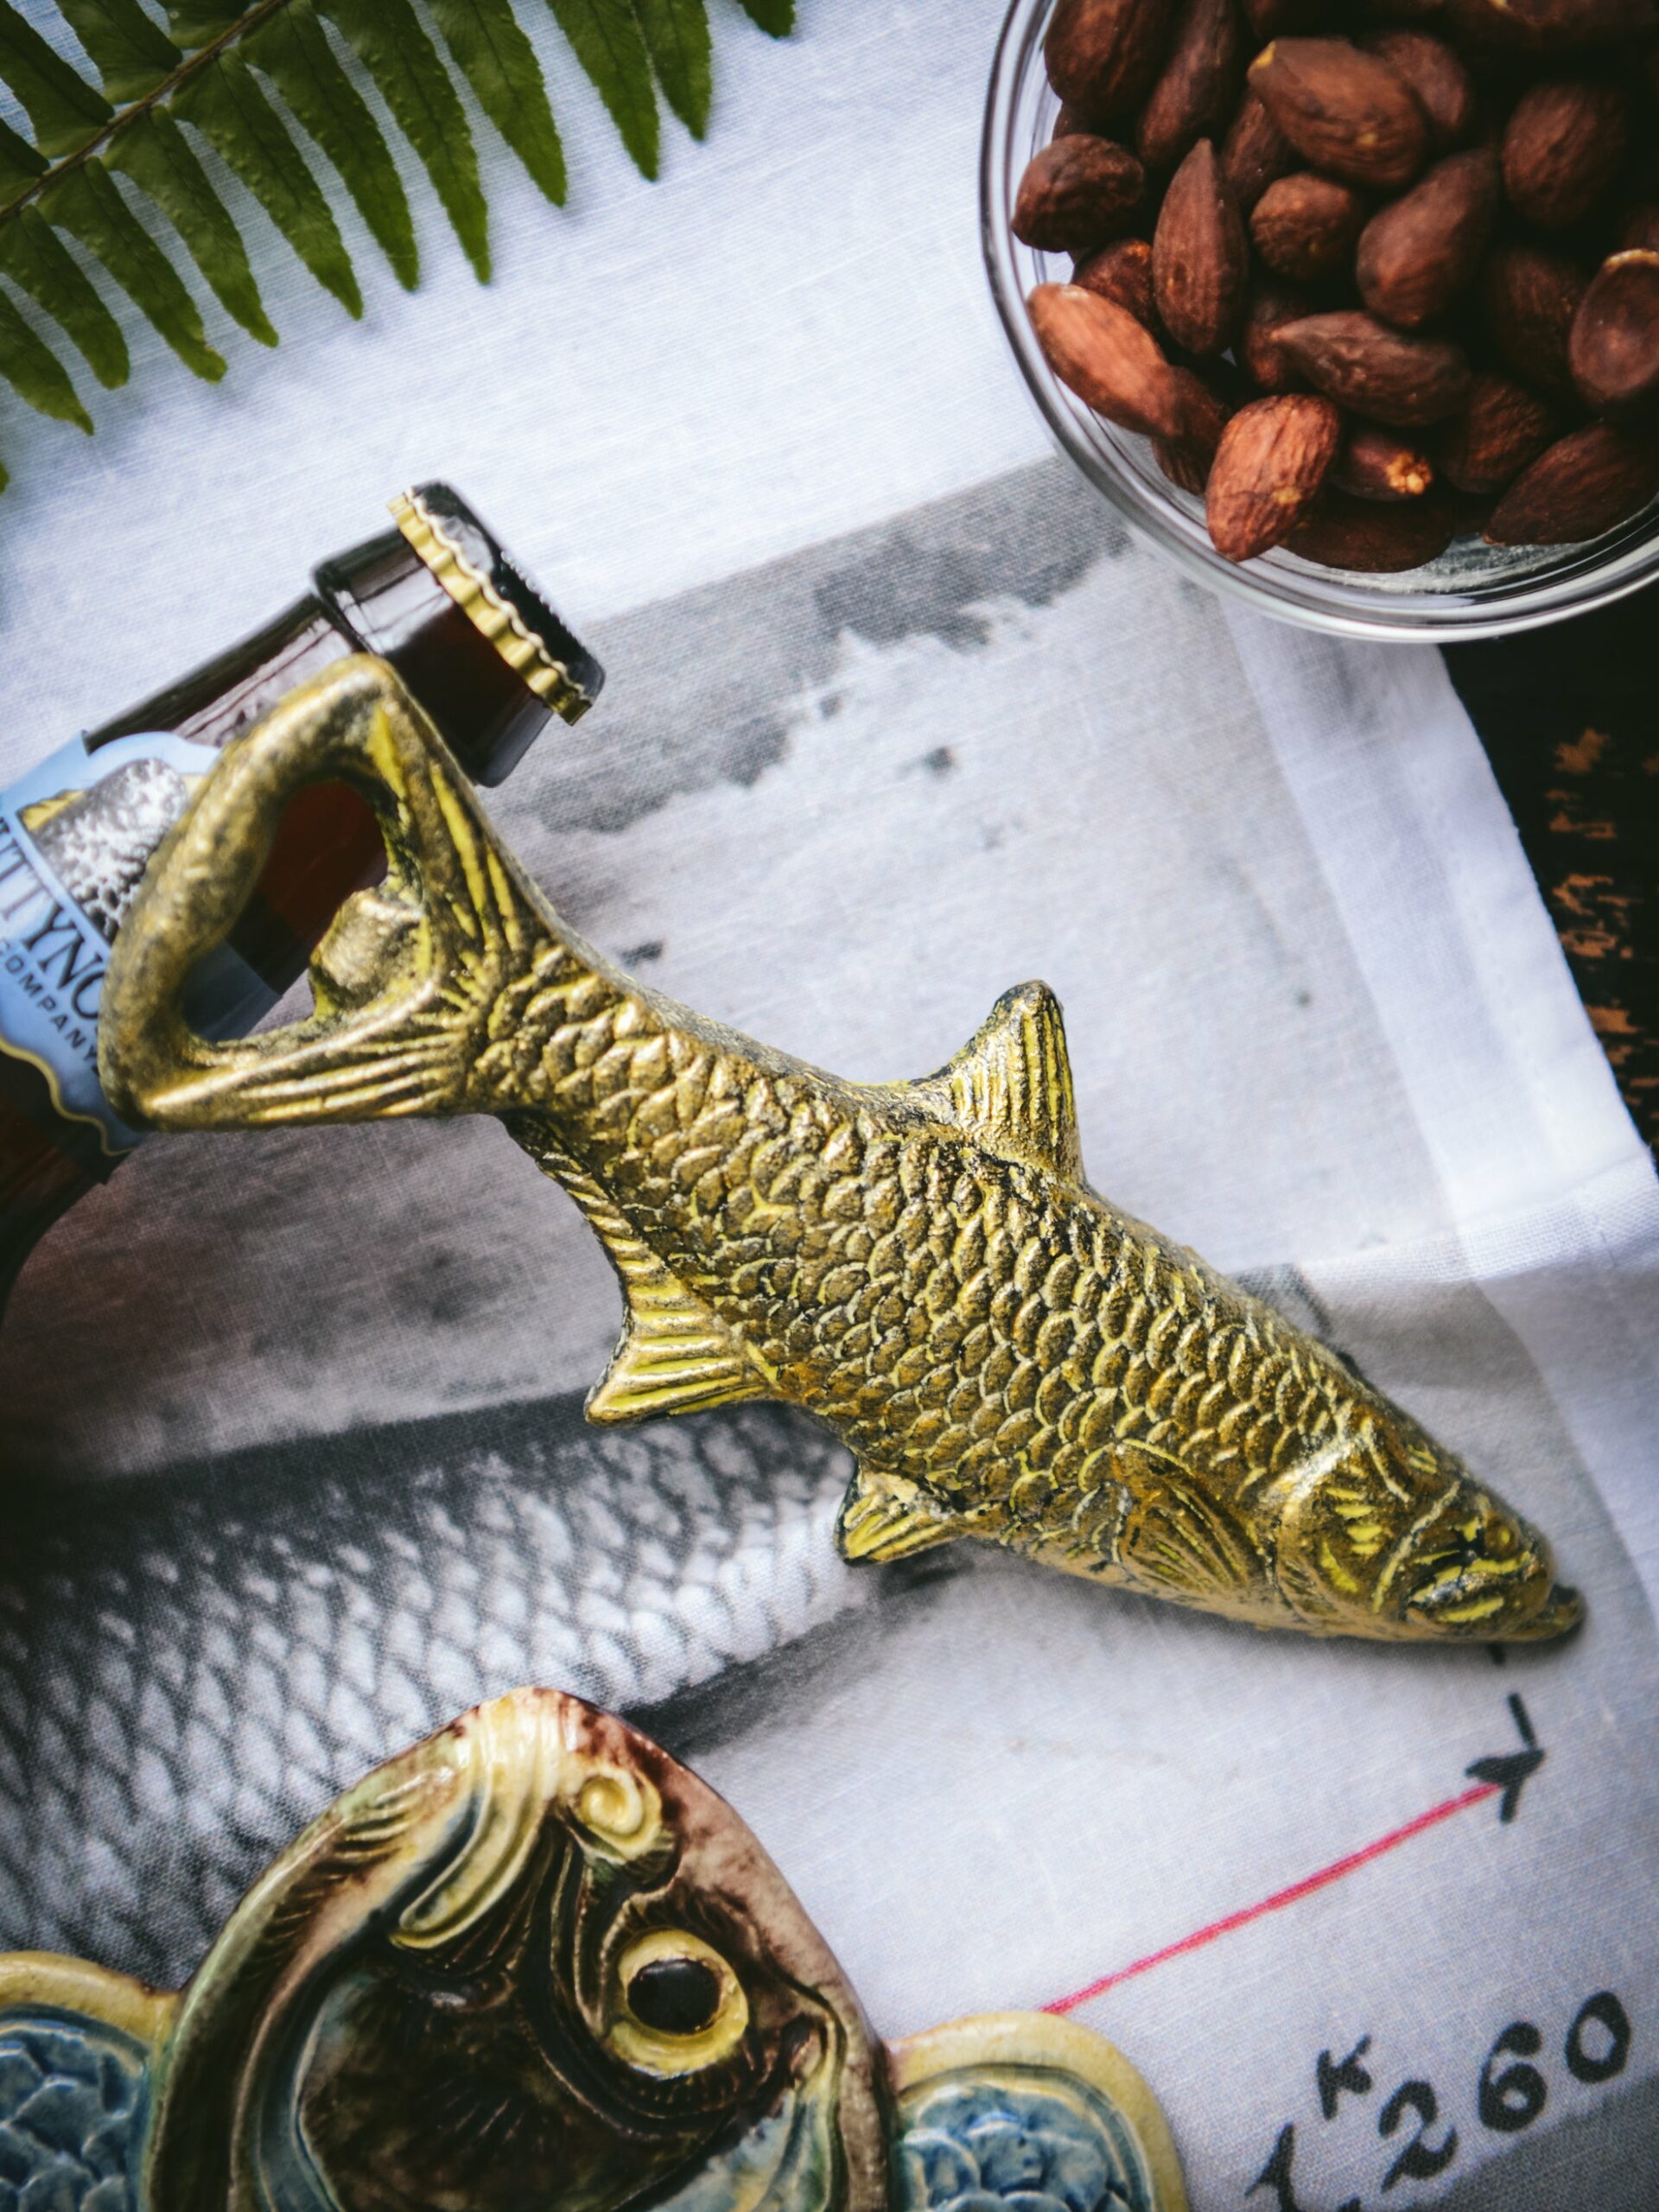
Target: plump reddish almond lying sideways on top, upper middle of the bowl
1346, 112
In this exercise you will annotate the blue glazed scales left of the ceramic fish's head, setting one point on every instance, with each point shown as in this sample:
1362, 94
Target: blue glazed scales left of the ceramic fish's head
67, 2120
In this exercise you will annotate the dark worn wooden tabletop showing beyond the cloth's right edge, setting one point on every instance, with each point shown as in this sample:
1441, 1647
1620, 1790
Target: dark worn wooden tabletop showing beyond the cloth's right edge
1569, 724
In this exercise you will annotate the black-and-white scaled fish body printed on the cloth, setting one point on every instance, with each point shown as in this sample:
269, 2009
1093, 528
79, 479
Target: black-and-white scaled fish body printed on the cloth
191, 1669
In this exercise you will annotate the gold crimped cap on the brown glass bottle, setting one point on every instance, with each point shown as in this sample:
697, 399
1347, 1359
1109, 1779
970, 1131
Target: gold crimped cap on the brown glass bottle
499, 601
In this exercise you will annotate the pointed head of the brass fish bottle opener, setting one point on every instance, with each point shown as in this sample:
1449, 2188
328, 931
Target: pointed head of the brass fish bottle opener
1390, 1536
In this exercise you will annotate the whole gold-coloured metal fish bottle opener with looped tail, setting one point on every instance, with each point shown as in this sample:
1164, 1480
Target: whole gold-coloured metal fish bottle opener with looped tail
924, 1266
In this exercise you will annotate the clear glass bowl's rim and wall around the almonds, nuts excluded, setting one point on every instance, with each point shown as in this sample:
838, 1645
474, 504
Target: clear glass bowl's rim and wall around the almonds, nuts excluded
1472, 592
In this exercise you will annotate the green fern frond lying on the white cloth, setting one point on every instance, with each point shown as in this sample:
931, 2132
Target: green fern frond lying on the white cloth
211, 74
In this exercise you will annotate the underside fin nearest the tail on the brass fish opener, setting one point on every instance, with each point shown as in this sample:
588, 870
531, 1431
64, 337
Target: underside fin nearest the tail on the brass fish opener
676, 1355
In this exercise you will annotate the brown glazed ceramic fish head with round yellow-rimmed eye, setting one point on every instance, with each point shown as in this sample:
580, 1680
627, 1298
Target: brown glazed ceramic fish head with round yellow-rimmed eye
530, 1968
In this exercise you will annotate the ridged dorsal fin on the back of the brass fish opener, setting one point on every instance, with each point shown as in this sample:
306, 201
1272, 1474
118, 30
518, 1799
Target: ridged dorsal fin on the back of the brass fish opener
1012, 1083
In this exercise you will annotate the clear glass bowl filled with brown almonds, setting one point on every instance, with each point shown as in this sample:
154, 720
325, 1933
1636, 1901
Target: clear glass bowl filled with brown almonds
1454, 216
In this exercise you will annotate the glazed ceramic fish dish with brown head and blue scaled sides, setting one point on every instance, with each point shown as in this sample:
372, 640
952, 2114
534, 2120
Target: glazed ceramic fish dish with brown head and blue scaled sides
534, 1965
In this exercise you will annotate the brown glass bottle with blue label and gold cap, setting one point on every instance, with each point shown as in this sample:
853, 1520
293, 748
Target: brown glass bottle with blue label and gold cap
486, 658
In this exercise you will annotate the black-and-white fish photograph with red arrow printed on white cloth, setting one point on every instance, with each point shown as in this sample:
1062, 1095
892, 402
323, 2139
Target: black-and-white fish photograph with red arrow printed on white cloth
300, 1465
